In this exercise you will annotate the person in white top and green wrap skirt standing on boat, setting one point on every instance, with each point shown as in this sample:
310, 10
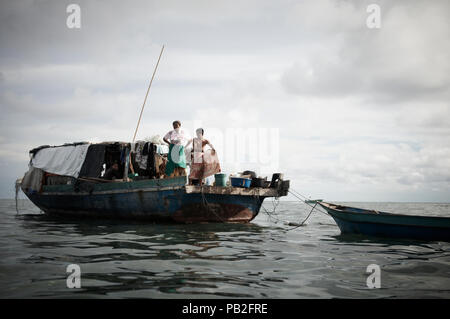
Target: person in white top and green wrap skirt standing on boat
176, 165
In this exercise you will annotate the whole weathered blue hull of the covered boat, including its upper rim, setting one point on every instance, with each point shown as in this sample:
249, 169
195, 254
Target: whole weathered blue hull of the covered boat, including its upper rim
157, 200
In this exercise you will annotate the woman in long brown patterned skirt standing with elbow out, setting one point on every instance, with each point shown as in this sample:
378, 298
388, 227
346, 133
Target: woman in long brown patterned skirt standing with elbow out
204, 164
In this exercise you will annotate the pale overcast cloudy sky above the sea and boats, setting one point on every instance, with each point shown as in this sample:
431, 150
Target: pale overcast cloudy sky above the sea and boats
347, 112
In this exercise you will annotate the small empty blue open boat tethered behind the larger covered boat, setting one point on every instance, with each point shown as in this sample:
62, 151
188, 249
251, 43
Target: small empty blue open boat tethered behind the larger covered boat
382, 224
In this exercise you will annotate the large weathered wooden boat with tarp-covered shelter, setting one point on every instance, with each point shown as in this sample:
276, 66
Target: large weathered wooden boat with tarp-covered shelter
65, 181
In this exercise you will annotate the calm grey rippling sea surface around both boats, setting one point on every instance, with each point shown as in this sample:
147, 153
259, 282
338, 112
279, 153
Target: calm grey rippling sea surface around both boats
263, 259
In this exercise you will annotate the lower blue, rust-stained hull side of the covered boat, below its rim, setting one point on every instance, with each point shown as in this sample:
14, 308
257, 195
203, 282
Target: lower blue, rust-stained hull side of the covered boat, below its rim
162, 205
